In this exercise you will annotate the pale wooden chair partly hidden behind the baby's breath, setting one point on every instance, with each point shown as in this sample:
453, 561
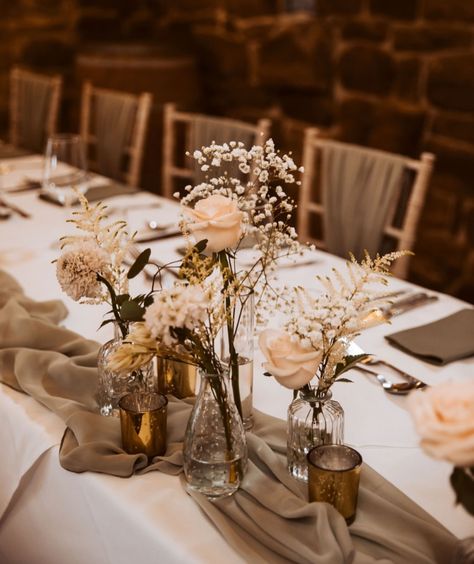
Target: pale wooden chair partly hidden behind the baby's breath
184, 131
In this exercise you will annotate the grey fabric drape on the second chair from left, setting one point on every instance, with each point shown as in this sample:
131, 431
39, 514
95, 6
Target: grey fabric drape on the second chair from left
114, 115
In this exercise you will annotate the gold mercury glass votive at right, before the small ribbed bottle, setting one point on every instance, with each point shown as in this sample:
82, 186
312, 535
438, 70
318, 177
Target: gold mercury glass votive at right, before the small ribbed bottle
333, 477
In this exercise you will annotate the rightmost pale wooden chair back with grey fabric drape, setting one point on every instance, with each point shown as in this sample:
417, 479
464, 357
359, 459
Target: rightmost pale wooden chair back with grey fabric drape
353, 198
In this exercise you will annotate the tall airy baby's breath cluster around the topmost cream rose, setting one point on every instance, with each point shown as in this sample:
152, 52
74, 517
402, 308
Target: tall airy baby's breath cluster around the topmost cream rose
264, 210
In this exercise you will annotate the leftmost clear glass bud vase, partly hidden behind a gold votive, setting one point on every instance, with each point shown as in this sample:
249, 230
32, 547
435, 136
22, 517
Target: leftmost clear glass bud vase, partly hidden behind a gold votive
113, 385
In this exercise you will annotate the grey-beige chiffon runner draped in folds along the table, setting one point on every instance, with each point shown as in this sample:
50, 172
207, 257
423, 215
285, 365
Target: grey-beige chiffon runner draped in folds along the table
269, 518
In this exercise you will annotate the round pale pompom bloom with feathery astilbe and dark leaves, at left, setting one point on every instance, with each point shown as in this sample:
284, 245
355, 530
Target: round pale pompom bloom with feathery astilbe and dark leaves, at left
91, 268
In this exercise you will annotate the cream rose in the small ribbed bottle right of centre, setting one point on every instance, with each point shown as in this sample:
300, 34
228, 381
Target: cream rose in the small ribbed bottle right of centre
292, 365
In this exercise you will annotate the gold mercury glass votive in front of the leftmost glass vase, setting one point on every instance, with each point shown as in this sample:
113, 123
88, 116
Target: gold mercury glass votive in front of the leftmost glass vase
143, 423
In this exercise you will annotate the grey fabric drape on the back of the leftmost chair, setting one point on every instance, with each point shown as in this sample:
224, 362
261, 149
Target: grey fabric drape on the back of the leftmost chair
34, 96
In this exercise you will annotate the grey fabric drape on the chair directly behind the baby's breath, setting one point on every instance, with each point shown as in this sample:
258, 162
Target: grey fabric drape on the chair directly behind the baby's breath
207, 129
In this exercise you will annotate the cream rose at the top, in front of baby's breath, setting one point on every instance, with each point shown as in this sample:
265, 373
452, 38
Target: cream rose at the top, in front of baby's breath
217, 219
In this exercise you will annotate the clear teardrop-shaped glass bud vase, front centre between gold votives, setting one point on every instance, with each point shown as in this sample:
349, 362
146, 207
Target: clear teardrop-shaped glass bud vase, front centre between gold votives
215, 449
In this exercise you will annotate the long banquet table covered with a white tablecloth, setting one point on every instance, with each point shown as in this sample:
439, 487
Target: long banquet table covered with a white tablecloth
52, 516
